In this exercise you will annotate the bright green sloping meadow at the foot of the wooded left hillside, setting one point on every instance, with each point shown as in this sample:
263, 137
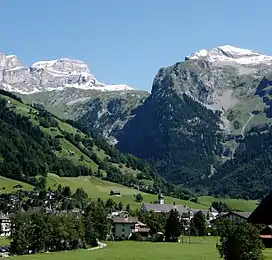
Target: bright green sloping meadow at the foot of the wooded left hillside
97, 188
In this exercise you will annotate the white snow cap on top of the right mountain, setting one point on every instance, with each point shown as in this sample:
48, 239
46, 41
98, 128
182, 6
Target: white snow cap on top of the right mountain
230, 54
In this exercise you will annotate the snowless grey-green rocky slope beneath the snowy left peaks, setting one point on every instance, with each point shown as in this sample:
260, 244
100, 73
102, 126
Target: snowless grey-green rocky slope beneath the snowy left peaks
103, 112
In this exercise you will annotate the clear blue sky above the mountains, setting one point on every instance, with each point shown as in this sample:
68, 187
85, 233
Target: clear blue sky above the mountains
127, 41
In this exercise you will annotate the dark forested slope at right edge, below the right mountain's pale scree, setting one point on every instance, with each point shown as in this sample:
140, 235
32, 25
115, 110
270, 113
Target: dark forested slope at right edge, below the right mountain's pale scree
249, 174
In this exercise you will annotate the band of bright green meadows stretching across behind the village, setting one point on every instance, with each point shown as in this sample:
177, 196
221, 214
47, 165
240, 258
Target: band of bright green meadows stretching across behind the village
97, 188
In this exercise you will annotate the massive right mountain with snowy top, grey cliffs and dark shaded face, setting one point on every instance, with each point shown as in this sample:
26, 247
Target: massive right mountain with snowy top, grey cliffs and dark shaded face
199, 111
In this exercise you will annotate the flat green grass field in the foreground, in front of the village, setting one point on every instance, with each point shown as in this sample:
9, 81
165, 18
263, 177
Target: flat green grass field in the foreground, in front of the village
140, 250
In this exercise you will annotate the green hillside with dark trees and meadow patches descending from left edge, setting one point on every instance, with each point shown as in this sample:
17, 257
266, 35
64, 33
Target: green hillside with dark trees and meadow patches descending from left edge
35, 142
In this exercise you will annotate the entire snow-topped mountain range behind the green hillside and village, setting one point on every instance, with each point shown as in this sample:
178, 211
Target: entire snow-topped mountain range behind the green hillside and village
197, 124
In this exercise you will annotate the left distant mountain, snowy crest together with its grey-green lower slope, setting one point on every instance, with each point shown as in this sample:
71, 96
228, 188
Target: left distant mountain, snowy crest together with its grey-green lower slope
67, 88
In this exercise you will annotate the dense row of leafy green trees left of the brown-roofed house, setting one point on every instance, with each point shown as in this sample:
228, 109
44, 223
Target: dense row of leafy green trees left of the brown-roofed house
33, 232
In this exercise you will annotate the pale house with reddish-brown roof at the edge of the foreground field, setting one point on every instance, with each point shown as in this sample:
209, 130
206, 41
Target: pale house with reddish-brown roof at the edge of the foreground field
123, 228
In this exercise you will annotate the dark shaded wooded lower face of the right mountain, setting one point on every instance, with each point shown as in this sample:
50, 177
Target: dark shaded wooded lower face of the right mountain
176, 133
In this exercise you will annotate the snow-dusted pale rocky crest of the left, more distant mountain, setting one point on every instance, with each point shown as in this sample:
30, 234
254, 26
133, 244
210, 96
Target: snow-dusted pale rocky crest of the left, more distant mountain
49, 75
